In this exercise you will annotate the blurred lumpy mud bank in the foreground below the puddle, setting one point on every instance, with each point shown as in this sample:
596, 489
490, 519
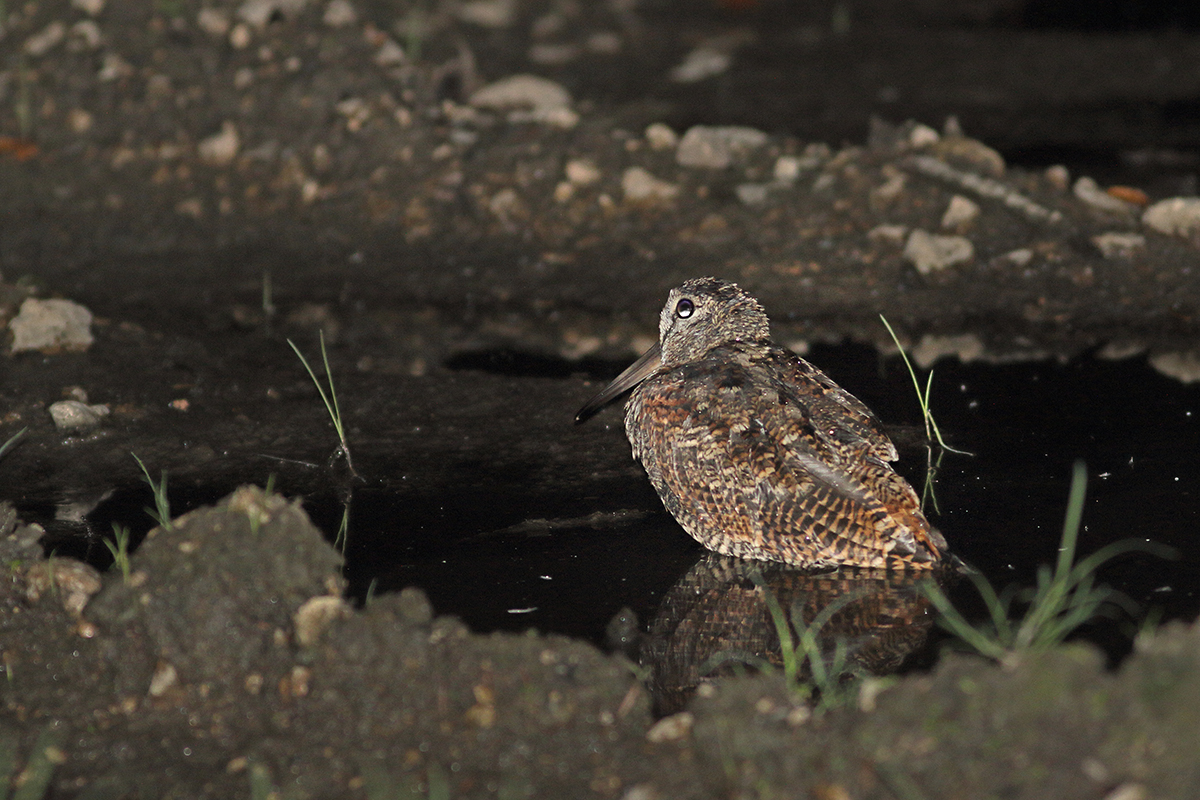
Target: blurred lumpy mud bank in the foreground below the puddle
227, 664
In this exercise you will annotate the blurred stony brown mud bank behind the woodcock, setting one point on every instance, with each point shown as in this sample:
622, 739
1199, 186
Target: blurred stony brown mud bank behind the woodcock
211, 171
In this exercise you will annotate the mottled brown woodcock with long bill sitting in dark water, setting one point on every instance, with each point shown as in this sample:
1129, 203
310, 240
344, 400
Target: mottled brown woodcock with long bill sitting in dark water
757, 453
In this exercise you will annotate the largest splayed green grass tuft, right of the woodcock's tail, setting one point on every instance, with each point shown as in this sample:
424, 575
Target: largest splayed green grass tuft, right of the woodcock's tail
1065, 598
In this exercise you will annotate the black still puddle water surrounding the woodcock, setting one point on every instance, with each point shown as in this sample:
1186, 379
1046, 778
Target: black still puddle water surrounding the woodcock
569, 560
